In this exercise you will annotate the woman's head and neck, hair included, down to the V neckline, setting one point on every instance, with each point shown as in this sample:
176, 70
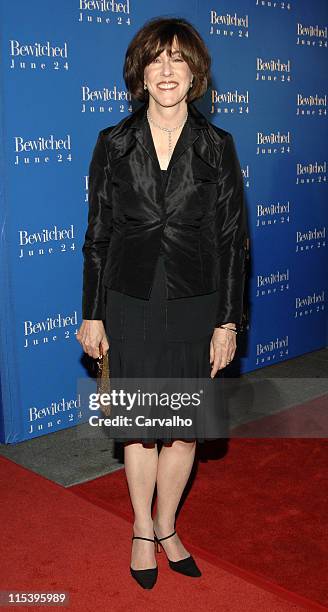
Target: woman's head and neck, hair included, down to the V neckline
170, 65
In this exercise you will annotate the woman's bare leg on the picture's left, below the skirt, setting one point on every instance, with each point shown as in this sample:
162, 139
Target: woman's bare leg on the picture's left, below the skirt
140, 469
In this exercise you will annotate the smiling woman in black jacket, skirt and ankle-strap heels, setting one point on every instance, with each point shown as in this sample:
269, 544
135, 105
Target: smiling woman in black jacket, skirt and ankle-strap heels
164, 257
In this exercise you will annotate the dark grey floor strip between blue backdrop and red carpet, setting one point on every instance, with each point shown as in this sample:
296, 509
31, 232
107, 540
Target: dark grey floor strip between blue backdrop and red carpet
72, 456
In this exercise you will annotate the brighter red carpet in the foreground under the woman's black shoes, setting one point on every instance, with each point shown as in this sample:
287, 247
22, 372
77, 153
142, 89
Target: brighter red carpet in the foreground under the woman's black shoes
55, 541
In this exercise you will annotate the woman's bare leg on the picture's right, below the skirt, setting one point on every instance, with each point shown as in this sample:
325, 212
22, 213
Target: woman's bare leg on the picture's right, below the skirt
174, 467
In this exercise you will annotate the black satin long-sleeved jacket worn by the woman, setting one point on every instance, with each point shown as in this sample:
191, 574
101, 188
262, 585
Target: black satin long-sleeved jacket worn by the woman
197, 216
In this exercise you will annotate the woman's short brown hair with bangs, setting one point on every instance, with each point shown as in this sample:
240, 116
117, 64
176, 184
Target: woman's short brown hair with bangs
156, 35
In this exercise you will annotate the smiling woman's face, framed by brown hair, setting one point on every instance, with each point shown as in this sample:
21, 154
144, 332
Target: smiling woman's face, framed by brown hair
168, 78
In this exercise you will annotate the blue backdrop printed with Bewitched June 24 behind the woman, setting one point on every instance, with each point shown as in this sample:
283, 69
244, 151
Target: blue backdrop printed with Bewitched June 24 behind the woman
61, 82
